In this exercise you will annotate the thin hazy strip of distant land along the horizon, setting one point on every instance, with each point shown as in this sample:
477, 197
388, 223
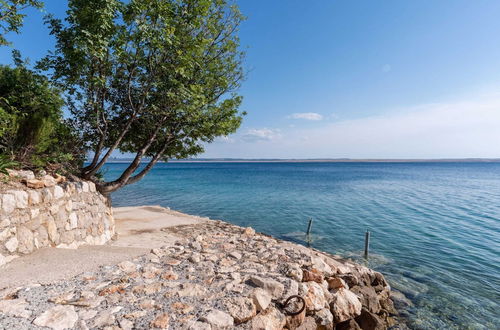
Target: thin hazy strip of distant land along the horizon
224, 160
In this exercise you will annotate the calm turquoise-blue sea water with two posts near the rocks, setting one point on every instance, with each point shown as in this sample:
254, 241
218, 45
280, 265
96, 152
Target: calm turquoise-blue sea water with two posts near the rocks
435, 227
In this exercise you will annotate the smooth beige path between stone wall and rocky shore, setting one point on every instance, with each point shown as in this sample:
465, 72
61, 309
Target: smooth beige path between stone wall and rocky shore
138, 228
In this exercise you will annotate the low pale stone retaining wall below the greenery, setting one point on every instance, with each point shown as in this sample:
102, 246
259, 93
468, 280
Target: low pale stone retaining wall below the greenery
64, 215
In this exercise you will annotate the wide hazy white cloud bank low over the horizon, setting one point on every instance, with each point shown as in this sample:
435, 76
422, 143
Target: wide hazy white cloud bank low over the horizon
462, 129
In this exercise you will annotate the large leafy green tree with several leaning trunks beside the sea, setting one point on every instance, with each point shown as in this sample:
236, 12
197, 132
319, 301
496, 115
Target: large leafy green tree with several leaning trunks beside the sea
157, 78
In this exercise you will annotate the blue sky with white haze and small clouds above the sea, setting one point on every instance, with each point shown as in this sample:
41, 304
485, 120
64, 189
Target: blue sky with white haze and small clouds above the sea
356, 79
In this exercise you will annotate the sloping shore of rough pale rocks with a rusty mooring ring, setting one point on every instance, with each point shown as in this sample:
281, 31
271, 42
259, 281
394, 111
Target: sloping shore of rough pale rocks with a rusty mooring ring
214, 275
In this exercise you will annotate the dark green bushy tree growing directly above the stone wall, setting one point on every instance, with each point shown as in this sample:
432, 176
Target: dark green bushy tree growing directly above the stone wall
32, 131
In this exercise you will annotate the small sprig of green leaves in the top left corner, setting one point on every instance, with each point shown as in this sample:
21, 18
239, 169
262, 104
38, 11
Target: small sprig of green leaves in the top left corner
11, 16
